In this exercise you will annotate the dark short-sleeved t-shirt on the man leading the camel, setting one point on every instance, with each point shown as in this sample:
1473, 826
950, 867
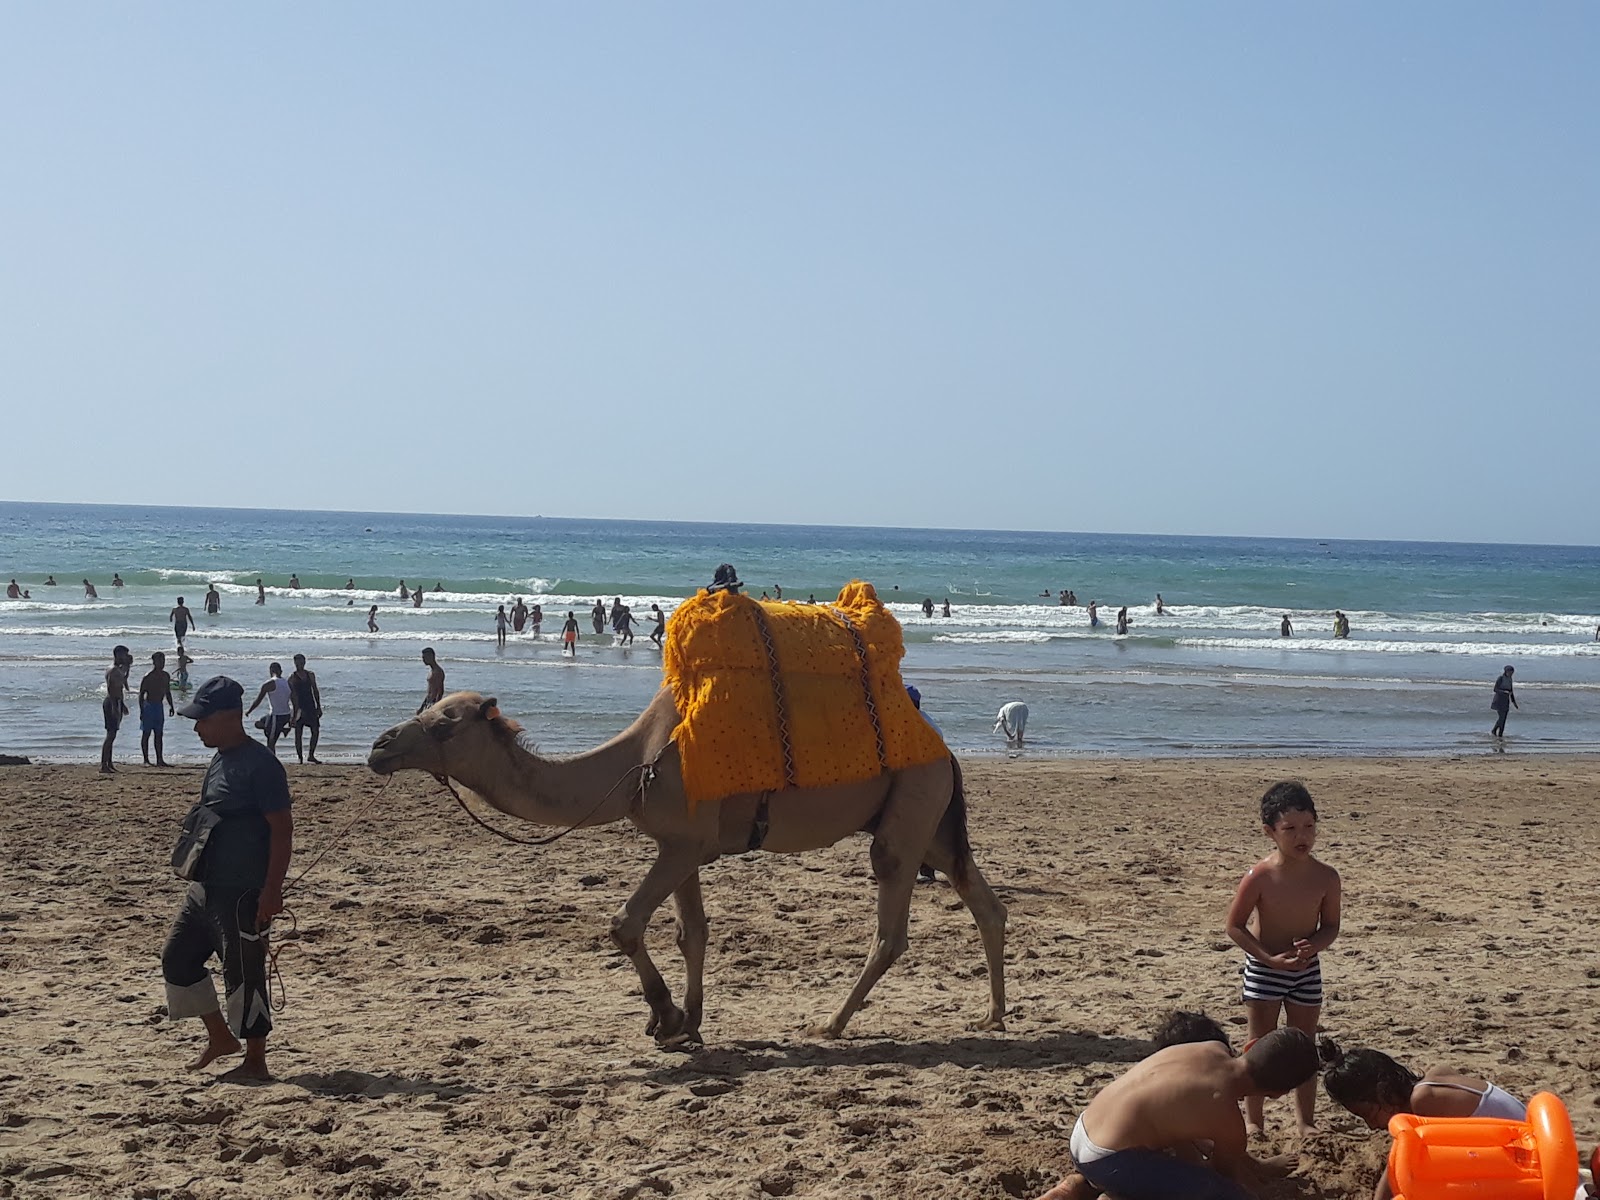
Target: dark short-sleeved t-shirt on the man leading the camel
242, 785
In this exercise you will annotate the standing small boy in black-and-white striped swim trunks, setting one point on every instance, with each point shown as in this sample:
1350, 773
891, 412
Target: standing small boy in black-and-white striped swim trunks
1292, 902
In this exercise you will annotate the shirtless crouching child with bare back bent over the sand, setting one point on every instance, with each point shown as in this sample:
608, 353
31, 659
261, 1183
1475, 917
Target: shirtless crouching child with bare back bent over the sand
1175, 1100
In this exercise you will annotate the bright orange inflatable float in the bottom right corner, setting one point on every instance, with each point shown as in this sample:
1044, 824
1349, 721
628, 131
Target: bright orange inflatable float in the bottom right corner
1481, 1159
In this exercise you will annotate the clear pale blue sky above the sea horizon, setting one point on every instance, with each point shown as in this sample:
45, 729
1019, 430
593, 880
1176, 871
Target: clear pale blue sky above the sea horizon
1249, 268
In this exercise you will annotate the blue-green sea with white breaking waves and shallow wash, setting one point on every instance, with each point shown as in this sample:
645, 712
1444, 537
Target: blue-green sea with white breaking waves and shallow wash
1433, 625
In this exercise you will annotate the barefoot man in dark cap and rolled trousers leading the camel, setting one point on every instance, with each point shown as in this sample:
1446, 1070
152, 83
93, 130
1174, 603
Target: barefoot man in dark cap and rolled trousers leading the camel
234, 850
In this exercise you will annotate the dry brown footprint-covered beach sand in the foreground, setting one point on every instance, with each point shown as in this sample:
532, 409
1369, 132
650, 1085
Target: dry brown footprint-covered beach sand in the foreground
458, 1023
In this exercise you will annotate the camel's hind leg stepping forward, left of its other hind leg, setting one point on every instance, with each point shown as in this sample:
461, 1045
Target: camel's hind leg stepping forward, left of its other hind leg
905, 830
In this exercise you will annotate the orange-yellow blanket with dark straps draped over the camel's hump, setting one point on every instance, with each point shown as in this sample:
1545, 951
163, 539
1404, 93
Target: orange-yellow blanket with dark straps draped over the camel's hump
777, 695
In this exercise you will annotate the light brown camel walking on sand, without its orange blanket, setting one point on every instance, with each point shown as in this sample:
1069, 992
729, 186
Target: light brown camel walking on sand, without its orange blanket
916, 815
